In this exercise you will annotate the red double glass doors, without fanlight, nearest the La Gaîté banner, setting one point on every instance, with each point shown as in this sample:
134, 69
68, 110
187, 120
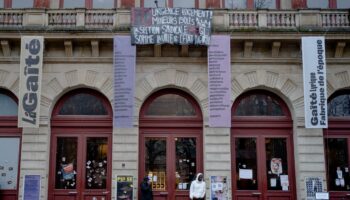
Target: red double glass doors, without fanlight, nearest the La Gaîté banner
81, 168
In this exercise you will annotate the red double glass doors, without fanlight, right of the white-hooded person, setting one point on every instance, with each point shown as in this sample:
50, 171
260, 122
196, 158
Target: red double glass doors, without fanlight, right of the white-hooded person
262, 167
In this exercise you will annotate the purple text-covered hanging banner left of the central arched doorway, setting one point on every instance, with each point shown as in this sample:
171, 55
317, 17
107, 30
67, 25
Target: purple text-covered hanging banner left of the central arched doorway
124, 62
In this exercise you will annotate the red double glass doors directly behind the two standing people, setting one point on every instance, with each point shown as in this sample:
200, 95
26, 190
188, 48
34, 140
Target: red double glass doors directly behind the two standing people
170, 161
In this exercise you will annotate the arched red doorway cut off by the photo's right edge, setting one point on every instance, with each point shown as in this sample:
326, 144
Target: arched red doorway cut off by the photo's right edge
337, 145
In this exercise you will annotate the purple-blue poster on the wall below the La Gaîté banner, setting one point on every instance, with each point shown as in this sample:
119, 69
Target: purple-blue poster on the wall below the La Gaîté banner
32, 186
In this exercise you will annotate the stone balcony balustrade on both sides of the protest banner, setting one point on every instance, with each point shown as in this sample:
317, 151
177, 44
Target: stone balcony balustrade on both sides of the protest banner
108, 19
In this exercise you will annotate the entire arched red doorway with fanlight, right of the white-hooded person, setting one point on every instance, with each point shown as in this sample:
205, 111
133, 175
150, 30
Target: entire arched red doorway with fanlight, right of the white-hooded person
262, 148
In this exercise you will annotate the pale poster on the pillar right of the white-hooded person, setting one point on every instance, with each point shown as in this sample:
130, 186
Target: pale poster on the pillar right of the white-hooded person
218, 188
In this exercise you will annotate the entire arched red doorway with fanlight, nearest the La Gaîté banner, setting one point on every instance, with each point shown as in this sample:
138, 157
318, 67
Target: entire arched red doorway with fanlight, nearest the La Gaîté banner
80, 159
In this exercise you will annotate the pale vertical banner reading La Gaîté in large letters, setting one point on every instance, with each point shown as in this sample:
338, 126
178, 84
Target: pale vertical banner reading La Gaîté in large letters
30, 81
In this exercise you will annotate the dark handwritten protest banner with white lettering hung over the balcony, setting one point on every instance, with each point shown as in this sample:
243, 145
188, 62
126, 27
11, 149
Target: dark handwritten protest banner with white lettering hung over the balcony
171, 26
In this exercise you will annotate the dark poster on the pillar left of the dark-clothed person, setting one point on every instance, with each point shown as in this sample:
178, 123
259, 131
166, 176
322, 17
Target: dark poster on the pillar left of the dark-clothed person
124, 188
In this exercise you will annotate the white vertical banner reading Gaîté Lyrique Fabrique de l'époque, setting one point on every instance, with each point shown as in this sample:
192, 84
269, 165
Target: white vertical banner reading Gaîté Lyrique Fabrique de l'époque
315, 82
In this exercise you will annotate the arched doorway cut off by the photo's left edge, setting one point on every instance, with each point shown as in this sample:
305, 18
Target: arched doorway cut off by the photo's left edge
10, 145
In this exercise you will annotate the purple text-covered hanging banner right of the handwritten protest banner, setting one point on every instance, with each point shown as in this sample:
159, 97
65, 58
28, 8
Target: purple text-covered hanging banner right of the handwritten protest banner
219, 80
